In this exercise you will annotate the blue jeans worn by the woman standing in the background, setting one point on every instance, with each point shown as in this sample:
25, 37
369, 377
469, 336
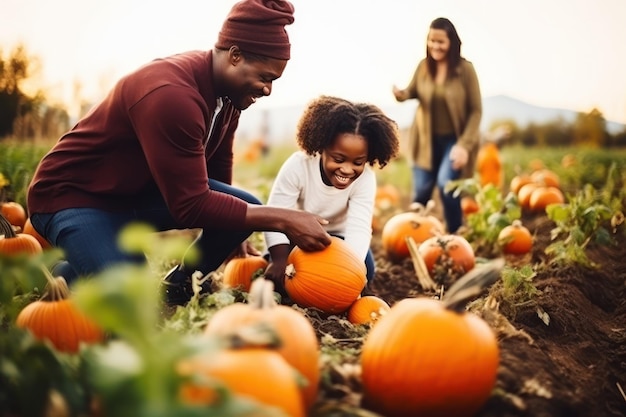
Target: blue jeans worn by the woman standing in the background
441, 173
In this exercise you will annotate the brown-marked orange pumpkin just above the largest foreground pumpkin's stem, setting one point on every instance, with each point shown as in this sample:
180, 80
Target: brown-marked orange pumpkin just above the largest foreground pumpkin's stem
447, 256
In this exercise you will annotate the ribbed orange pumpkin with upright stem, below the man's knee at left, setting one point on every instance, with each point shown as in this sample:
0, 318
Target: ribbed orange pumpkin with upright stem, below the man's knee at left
56, 318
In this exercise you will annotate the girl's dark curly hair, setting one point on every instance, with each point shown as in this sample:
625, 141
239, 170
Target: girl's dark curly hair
326, 117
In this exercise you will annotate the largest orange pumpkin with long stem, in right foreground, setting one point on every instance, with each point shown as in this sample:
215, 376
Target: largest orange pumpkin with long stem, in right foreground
430, 358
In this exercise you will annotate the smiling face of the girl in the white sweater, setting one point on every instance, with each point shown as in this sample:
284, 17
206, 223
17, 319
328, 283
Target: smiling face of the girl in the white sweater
344, 161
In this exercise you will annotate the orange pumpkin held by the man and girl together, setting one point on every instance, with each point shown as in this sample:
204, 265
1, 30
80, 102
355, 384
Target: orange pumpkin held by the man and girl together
329, 280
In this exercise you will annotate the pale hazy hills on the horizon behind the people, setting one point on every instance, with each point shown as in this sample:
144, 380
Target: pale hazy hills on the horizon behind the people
280, 122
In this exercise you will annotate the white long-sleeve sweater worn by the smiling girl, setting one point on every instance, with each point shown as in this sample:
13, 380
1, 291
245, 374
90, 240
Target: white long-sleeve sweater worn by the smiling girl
349, 212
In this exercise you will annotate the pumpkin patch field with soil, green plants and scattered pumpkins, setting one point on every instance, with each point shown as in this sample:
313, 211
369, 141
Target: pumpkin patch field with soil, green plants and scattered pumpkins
521, 313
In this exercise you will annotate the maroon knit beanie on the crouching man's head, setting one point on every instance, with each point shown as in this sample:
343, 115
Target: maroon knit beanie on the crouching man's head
258, 26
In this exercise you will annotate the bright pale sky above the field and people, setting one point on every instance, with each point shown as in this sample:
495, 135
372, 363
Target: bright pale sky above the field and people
553, 53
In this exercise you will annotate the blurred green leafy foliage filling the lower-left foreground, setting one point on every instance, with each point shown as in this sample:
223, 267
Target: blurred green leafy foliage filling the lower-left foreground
134, 373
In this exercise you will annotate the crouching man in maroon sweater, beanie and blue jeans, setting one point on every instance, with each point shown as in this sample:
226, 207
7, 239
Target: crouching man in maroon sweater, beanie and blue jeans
159, 149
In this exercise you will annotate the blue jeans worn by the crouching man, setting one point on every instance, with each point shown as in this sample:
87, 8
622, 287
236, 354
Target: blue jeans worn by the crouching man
89, 236
